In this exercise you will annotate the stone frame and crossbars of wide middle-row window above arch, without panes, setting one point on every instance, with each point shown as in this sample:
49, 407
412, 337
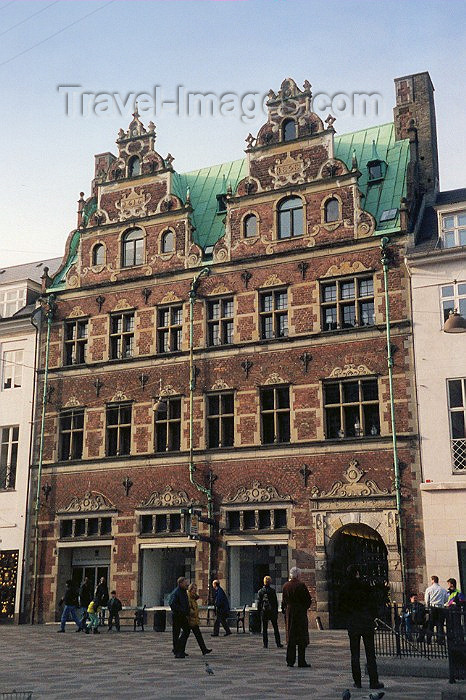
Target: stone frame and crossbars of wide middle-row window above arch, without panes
361, 403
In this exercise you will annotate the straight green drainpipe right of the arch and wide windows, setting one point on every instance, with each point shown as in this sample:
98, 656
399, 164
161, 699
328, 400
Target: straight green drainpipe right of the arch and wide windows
396, 465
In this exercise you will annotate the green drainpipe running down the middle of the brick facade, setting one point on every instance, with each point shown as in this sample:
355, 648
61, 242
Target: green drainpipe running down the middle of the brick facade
192, 381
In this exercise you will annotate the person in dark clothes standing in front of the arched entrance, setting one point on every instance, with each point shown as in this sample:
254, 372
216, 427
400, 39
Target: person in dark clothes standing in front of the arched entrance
358, 605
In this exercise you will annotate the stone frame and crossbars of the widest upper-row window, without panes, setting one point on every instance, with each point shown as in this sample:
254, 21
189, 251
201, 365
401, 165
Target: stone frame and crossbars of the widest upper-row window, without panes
341, 301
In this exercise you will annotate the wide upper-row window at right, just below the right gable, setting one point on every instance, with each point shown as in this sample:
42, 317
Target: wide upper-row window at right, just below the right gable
347, 303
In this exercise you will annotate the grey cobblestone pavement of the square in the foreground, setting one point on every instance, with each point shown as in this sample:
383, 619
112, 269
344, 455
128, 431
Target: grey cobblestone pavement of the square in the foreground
140, 665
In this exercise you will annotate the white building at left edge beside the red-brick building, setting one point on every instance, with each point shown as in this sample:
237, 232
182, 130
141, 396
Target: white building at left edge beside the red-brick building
19, 289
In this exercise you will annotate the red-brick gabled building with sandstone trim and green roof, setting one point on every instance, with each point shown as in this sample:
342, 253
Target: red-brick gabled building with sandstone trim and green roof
218, 342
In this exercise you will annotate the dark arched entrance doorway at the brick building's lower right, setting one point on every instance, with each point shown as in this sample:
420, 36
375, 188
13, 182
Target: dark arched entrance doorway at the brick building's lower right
361, 545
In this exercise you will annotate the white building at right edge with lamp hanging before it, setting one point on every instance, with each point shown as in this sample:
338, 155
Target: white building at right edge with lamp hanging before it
437, 264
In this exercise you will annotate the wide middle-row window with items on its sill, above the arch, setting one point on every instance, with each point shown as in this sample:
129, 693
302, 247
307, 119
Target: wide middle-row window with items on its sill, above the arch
351, 408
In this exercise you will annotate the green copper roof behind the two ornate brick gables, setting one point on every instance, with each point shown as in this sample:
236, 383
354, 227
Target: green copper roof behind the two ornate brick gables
204, 185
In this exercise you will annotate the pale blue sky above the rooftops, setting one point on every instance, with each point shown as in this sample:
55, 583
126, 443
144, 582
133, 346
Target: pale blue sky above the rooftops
236, 50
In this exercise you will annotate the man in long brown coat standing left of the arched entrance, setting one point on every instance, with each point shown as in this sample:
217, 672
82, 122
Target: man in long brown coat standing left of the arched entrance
296, 601
